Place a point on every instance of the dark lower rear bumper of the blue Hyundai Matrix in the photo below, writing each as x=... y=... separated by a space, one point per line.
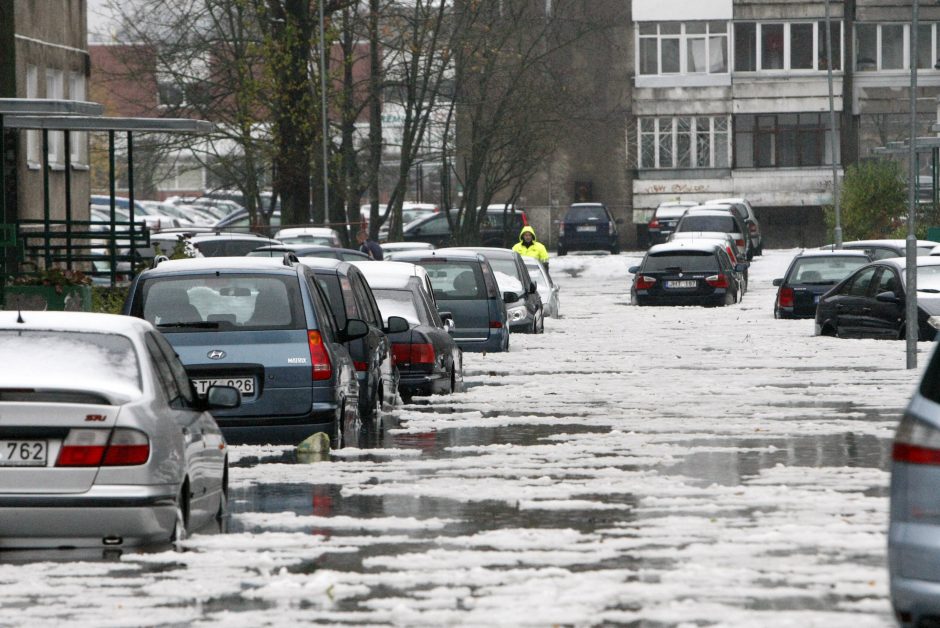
x=279 y=429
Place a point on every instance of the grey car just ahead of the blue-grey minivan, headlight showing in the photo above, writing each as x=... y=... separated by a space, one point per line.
x=525 y=314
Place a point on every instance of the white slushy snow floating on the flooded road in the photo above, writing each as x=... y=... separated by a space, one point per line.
x=654 y=466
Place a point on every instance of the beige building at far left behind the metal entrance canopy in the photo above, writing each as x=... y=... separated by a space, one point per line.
x=44 y=54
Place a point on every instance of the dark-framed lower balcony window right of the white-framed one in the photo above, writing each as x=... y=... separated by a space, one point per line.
x=782 y=140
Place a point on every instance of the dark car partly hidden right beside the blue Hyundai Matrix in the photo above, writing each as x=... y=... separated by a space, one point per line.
x=350 y=296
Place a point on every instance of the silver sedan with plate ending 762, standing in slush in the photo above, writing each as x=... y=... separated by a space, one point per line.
x=103 y=442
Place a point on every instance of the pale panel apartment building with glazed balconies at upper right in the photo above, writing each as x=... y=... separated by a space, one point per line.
x=731 y=98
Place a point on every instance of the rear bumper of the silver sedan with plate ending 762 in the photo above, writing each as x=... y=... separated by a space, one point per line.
x=136 y=514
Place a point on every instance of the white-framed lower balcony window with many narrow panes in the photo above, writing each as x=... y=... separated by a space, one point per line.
x=684 y=142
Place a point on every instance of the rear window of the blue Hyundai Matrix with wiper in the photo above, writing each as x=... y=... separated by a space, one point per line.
x=222 y=302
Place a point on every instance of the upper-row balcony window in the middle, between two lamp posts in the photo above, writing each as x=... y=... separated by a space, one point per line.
x=785 y=46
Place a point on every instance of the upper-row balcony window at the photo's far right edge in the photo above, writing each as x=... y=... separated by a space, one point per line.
x=887 y=46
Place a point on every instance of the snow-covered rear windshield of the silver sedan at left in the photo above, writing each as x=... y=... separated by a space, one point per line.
x=51 y=357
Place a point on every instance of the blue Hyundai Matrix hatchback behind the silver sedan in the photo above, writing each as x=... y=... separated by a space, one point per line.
x=263 y=326
